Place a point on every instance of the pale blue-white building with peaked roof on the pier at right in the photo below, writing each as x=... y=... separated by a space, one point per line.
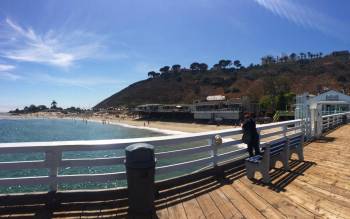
x=329 y=102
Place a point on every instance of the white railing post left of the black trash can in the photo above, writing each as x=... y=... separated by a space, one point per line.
x=53 y=159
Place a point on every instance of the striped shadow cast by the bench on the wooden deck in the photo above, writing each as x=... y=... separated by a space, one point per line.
x=281 y=178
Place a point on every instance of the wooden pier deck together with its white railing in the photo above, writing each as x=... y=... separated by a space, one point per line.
x=195 y=176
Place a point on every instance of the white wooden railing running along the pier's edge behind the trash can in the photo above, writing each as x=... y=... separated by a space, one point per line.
x=176 y=155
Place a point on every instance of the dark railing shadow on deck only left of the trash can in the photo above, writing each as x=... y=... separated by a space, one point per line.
x=64 y=204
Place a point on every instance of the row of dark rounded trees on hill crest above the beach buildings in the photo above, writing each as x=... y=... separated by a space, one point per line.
x=223 y=65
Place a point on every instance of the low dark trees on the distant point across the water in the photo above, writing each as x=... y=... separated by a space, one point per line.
x=42 y=108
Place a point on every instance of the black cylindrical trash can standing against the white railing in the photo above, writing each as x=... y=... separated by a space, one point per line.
x=140 y=170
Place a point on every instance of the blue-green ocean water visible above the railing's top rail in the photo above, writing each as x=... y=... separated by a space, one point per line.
x=32 y=130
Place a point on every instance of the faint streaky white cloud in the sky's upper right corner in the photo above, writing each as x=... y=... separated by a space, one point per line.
x=305 y=16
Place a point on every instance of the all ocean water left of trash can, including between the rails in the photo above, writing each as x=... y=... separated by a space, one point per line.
x=14 y=129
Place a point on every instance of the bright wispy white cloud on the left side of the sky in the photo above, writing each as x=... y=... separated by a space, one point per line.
x=52 y=48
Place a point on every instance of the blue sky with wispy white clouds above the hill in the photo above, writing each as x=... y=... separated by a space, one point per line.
x=79 y=52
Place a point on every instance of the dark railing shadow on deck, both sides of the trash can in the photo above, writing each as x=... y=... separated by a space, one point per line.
x=113 y=203
